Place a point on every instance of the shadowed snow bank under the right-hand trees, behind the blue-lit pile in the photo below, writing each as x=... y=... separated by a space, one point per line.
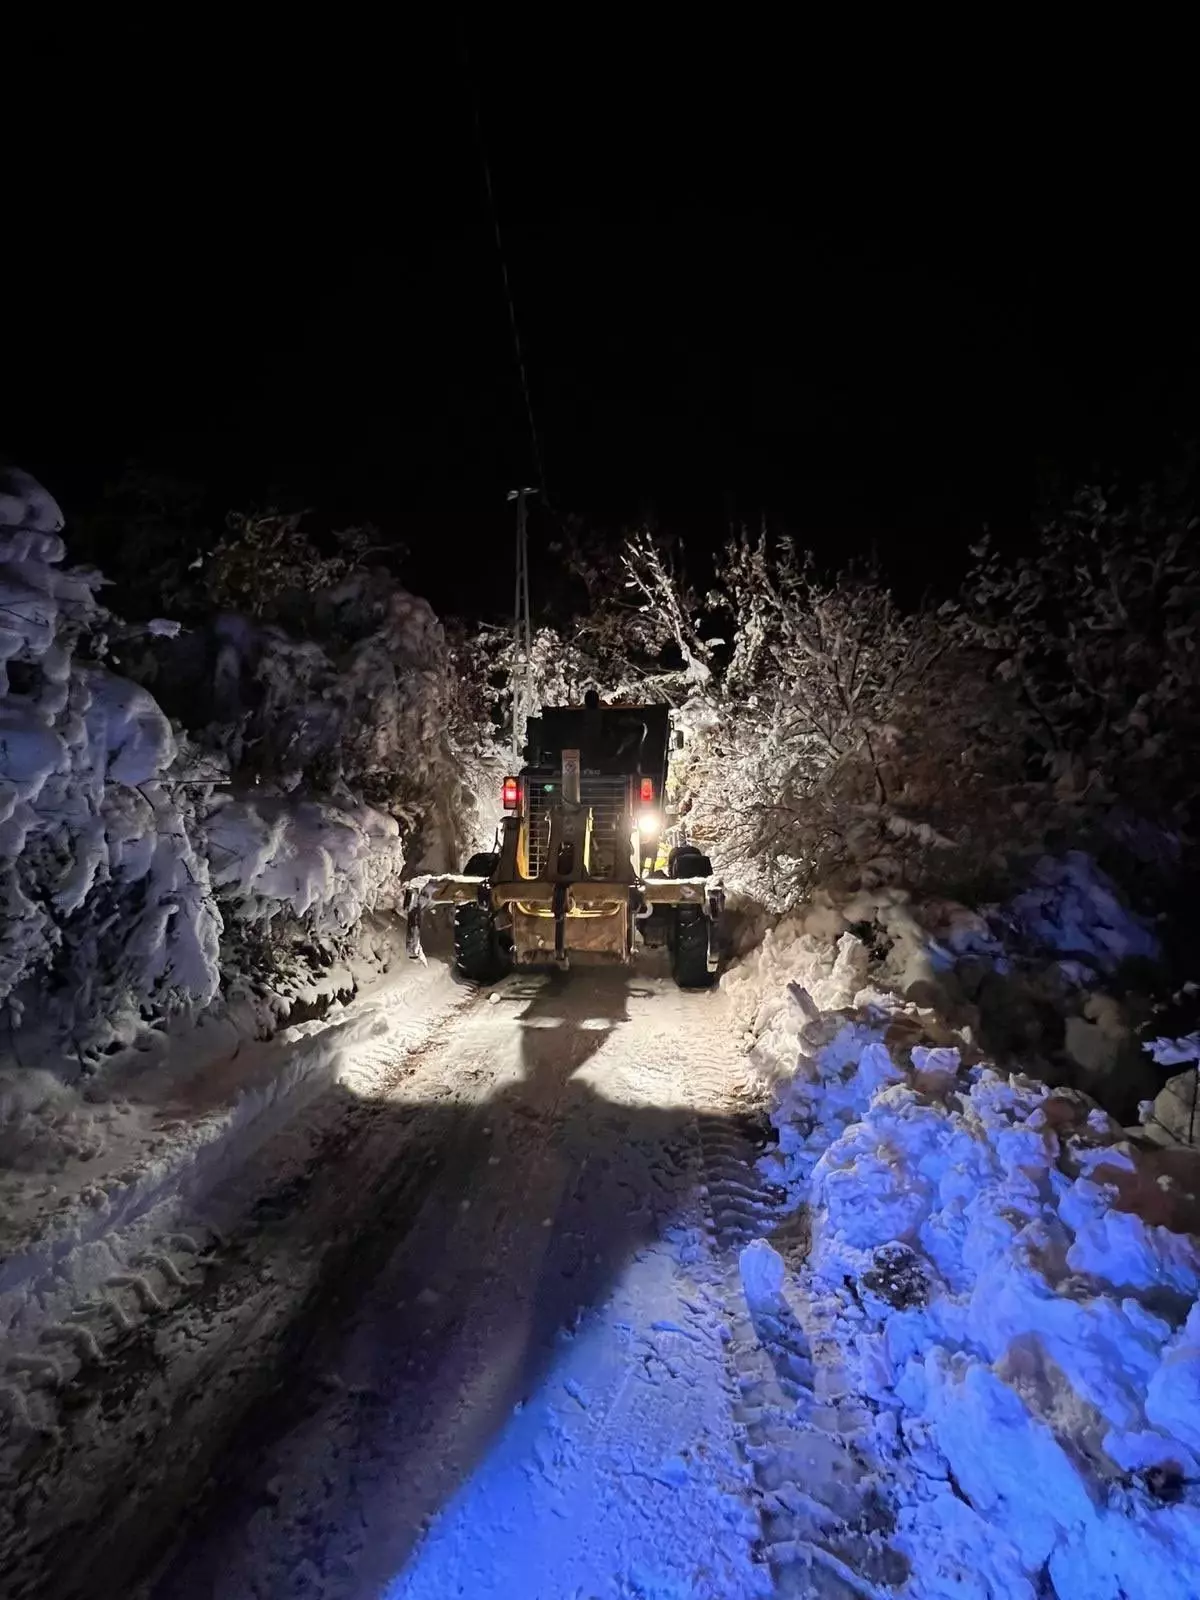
x=1033 y=983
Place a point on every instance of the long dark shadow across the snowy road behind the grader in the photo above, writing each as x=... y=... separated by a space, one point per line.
x=441 y=1295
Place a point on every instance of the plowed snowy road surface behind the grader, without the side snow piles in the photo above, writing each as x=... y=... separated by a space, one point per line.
x=465 y=1327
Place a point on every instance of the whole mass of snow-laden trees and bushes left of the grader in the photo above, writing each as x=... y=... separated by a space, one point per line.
x=142 y=865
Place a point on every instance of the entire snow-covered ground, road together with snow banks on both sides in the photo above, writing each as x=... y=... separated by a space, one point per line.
x=486 y=1295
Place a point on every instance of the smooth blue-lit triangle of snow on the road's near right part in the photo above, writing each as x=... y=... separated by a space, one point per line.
x=620 y=1476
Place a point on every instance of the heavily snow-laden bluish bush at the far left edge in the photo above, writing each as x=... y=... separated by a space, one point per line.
x=103 y=886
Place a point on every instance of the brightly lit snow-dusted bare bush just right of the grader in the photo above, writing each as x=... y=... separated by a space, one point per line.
x=830 y=729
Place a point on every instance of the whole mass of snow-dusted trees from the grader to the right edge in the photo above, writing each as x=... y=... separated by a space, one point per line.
x=1055 y=703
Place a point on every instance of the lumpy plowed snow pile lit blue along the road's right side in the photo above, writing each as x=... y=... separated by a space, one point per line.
x=1015 y=1282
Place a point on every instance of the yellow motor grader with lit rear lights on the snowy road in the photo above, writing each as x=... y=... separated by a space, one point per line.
x=582 y=874
